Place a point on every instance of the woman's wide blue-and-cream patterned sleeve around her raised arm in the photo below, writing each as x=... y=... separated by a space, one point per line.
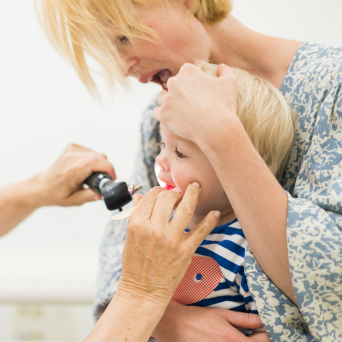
x=315 y=256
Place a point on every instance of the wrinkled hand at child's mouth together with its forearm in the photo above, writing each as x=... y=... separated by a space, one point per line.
x=155 y=258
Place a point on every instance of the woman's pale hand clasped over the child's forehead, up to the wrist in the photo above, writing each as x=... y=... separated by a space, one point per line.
x=197 y=105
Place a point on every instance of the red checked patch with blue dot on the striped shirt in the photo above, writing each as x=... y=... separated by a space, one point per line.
x=192 y=290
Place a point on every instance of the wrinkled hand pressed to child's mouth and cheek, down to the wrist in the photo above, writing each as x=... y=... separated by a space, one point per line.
x=157 y=252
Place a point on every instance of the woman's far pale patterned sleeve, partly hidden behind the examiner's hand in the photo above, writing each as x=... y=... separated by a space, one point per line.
x=115 y=234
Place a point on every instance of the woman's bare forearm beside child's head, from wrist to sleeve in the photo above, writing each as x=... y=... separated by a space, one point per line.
x=258 y=200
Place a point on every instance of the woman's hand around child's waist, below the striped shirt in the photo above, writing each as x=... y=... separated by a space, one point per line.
x=182 y=323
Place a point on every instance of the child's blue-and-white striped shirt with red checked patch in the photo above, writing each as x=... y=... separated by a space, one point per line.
x=216 y=276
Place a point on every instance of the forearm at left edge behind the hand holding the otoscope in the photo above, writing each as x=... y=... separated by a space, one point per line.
x=18 y=201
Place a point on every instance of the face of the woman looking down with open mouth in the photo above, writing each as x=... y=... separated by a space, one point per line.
x=183 y=39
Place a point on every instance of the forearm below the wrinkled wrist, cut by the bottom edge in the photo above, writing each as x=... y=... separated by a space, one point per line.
x=128 y=319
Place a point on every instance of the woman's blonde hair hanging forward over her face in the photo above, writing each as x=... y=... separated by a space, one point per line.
x=78 y=28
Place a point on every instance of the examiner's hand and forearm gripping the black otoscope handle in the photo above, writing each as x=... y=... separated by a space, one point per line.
x=60 y=185
